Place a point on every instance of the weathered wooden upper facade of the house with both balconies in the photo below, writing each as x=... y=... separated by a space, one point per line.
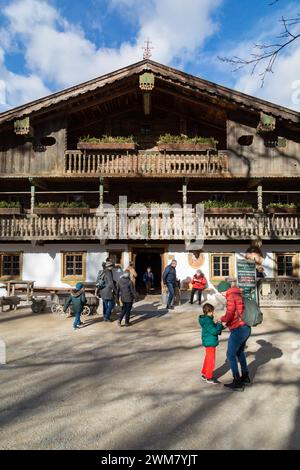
x=45 y=163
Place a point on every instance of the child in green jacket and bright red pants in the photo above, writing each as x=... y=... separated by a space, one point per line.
x=210 y=333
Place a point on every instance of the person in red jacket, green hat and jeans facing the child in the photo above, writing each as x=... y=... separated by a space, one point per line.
x=239 y=335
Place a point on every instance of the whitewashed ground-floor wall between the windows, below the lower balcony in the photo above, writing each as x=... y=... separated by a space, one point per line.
x=43 y=263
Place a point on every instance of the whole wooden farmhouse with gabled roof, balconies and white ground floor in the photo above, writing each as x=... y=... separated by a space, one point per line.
x=170 y=138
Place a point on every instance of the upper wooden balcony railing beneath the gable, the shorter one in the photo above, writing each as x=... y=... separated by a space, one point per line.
x=146 y=164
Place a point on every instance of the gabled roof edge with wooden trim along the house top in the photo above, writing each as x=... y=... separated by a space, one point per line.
x=203 y=87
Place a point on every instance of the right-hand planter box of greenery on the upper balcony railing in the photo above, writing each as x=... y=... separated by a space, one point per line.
x=168 y=142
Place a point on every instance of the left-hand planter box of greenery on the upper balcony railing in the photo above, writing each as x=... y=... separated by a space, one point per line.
x=106 y=143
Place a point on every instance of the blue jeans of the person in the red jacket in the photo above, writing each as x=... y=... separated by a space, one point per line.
x=236 y=346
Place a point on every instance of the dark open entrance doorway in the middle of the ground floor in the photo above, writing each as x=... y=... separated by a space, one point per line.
x=143 y=260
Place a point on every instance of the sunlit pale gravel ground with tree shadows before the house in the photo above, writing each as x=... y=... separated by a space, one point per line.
x=105 y=387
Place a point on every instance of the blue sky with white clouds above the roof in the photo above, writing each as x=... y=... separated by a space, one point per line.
x=49 y=45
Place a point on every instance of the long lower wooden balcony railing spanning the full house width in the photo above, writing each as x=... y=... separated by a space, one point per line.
x=159 y=226
